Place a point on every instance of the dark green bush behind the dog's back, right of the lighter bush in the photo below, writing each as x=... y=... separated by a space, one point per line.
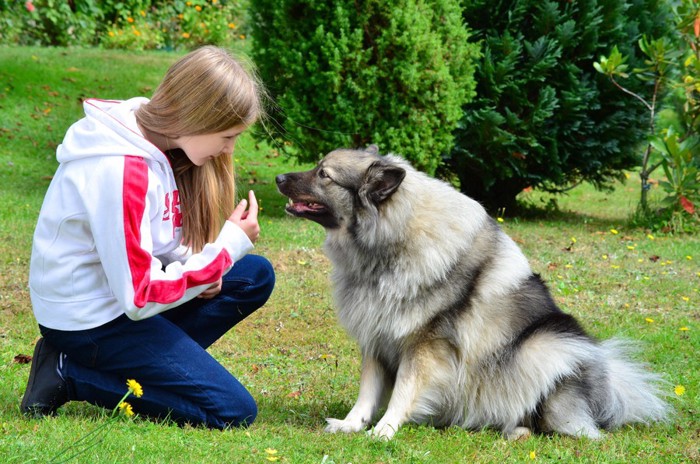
x=543 y=117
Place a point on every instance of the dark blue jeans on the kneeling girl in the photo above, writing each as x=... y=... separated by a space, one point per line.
x=167 y=355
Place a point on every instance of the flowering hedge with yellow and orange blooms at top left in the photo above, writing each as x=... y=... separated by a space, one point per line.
x=134 y=24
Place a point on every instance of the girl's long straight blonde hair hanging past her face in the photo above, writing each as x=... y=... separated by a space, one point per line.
x=205 y=92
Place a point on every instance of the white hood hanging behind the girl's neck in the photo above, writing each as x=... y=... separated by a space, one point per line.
x=108 y=129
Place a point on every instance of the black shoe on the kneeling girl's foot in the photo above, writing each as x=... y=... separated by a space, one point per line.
x=46 y=390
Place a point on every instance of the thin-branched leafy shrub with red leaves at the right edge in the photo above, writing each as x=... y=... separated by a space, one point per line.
x=671 y=68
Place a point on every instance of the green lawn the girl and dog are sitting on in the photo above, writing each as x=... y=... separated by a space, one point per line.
x=291 y=354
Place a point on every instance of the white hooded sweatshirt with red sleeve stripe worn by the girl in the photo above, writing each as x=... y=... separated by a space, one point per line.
x=108 y=239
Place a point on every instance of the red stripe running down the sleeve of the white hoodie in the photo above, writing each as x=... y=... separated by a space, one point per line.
x=145 y=289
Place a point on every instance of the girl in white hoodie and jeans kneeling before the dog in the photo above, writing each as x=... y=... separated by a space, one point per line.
x=139 y=260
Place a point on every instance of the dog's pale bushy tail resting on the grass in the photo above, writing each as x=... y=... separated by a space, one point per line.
x=635 y=394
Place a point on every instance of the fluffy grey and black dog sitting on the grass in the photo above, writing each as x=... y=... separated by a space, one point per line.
x=453 y=326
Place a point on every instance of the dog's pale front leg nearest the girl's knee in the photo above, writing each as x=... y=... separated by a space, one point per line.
x=372 y=386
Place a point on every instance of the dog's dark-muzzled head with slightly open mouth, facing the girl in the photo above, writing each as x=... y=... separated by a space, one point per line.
x=340 y=186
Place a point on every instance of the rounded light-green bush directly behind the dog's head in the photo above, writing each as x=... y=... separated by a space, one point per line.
x=346 y=74
